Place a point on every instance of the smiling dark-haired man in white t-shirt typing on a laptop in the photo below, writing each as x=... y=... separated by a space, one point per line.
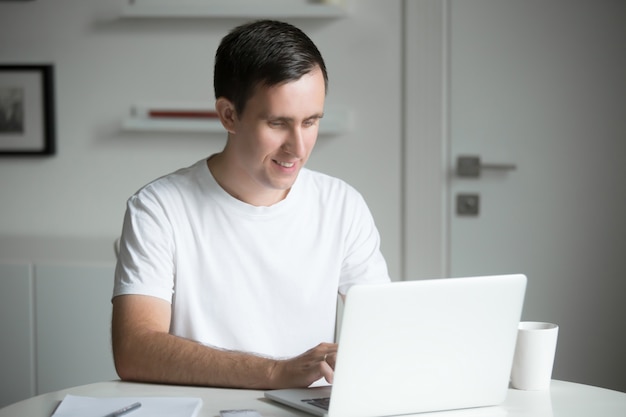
x=229 y=270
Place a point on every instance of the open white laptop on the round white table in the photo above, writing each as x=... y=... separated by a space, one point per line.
x=421 y=346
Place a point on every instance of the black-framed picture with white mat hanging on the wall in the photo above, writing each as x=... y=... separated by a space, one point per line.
x=27 y=110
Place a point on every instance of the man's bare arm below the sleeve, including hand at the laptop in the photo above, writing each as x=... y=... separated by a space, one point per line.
x=144 y=350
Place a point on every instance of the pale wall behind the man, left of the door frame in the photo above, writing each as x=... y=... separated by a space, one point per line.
x=104 y=64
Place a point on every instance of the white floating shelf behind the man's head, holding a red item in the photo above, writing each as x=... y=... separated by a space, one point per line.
x=334 y=122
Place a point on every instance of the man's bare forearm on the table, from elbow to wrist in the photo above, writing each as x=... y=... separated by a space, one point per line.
x=160 y=357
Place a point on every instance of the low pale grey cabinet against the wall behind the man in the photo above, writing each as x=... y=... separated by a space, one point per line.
x=57 y=332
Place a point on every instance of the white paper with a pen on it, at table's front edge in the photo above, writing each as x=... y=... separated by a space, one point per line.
x=76 y=406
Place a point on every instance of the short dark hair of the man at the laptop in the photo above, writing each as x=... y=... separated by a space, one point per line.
x=263 y=52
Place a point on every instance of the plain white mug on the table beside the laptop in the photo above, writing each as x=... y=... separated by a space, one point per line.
x=534 y=355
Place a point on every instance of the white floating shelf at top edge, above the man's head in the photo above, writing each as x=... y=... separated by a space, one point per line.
x=226 y=9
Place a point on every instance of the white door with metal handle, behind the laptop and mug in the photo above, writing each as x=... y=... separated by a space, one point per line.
x=541 y=84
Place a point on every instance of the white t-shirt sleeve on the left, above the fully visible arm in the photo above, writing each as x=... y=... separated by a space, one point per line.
x=145 y=261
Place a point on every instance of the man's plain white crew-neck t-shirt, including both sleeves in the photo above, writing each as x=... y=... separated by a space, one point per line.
x=247 y=278
